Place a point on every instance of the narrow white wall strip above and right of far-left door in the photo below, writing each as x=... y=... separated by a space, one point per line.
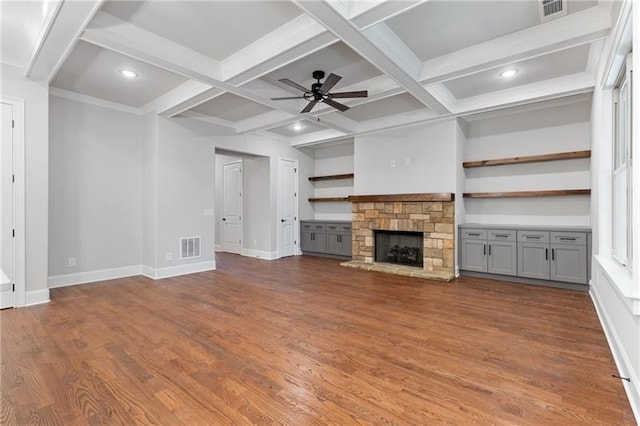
x=36 y=101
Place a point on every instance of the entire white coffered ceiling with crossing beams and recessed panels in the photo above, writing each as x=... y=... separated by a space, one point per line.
x=221 y=61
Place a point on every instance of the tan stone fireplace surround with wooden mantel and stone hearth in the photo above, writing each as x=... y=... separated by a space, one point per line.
x=429 y=213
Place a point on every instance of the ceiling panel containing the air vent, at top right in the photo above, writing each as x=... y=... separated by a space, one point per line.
x=439 y=27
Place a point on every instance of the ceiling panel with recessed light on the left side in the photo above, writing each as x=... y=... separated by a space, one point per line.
x=94 y=71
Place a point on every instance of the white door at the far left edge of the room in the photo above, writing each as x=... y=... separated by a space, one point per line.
x=6 y=210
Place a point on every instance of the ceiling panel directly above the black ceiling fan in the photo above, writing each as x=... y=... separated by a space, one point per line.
x=338 y=59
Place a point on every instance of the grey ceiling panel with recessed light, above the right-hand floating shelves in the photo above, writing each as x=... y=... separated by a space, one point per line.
x=545 y=67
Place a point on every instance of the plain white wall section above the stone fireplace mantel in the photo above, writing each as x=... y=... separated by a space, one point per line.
x=430 y=150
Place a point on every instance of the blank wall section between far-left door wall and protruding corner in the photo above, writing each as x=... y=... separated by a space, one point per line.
x=95 y=187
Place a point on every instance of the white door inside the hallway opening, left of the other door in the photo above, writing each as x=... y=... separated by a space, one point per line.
x=232 y=207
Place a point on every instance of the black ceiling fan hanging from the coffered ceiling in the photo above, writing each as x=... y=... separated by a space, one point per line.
x=319 y=92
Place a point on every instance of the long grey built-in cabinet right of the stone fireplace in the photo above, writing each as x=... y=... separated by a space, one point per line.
x=537 y=253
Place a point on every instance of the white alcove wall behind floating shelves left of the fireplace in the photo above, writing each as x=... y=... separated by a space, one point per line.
x=333 y=160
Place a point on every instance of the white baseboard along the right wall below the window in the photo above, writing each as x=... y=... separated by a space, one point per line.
x=624 y=364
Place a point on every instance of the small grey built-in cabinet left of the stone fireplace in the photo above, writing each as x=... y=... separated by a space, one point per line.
x=326 y=238
